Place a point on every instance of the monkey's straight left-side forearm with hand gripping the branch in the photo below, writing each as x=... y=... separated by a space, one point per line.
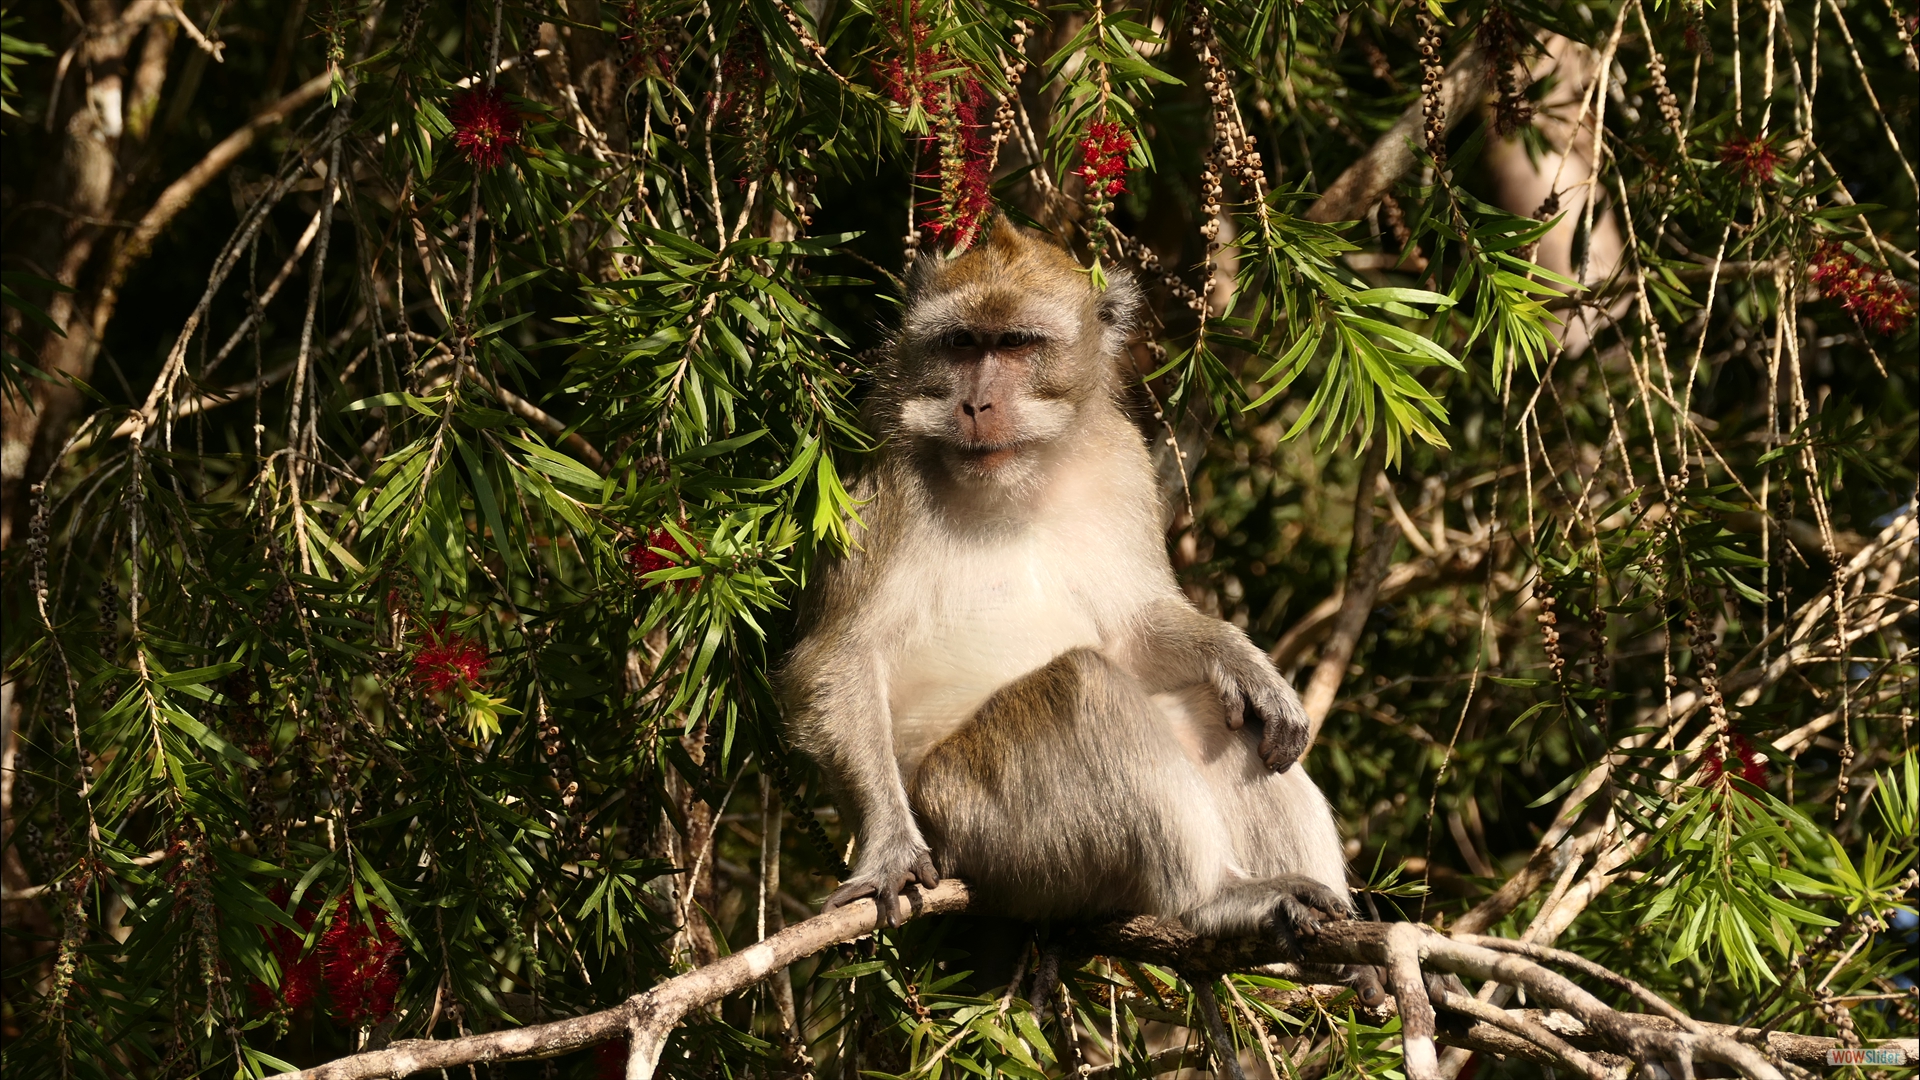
x=838 y=714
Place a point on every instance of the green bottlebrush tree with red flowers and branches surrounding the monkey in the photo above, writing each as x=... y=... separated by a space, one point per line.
x=421 y=420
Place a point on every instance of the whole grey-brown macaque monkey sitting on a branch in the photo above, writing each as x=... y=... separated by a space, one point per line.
x=1003 y=677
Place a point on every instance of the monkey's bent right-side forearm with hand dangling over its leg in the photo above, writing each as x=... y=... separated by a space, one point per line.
x=1176 y=647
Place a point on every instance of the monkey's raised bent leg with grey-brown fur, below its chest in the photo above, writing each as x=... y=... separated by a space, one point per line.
x=1068 y=795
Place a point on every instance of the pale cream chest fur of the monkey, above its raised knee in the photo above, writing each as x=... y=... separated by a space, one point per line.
x=994 y=614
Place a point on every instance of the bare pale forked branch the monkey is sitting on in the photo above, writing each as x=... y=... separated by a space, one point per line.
x=1579 y=1025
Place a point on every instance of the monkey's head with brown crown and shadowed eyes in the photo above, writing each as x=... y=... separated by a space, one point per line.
x=1001 y=355
